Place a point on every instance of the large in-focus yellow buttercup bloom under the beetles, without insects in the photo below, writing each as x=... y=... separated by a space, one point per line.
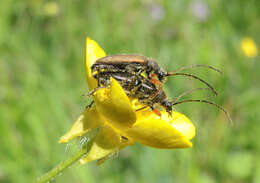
x=115 y=114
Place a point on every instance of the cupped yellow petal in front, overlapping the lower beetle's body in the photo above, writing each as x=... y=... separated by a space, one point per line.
x=115 y=106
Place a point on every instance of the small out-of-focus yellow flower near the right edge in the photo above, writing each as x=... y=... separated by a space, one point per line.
x=249 y=47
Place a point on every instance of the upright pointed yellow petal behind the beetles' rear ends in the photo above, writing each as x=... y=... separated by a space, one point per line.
x=92 y=52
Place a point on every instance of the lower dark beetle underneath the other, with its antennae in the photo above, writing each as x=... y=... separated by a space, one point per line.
x=147 y=93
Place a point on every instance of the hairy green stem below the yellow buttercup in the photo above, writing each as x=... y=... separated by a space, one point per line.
x=62 y=166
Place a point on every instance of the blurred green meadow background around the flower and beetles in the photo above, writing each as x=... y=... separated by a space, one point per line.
x=42 y=79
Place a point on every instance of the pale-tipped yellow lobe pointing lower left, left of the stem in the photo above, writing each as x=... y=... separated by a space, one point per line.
x=88 y=120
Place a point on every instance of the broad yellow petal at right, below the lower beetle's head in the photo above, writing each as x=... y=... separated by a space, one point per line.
x=162 y=132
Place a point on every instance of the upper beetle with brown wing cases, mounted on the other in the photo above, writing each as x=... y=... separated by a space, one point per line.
x=139 y=64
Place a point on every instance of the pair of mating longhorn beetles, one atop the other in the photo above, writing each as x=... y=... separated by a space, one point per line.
x=142 y=78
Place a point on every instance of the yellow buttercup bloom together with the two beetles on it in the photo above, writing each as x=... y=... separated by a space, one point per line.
x=124 y=89
